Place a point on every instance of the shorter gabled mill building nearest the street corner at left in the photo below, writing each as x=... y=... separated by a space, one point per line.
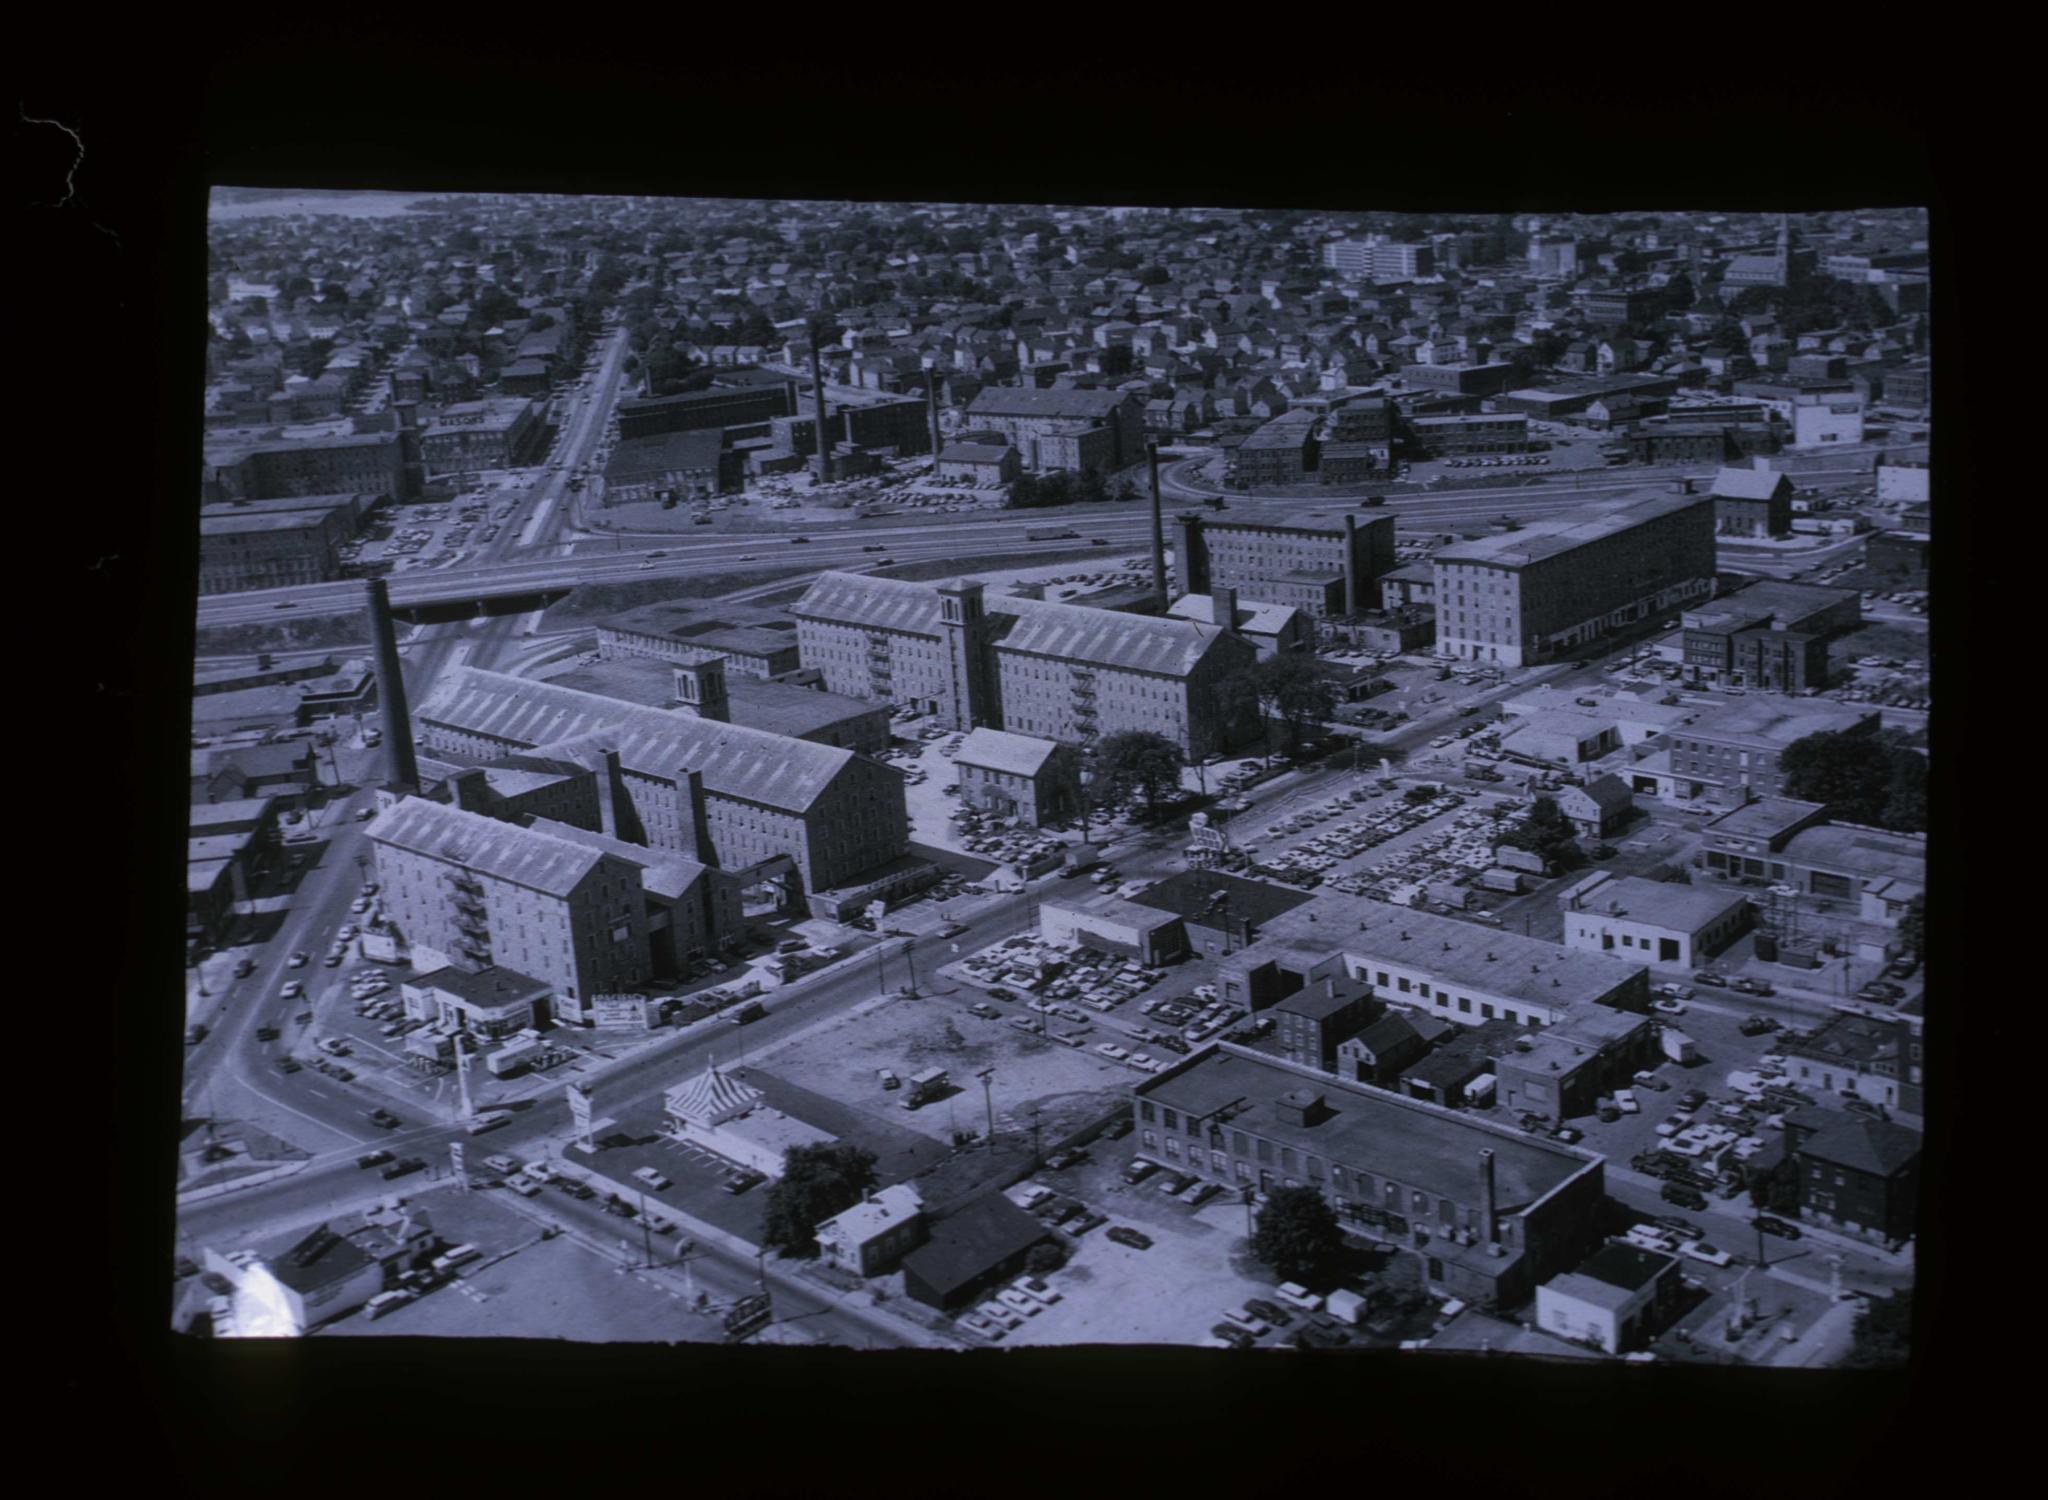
x=470 y=892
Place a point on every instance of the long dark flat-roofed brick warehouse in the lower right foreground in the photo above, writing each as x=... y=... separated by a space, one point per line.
x=1488 y=1212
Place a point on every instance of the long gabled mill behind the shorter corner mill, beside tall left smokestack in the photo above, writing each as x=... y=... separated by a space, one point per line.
x=757 y=804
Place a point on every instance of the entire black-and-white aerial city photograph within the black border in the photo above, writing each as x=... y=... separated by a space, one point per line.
x=986 y=776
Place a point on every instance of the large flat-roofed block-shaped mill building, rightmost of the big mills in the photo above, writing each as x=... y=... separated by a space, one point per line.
x=1558 y=585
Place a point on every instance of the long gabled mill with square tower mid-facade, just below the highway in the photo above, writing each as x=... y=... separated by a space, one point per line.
x=1029 y=667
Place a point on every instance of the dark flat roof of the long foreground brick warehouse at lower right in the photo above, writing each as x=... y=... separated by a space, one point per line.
x=1379 y=1132
